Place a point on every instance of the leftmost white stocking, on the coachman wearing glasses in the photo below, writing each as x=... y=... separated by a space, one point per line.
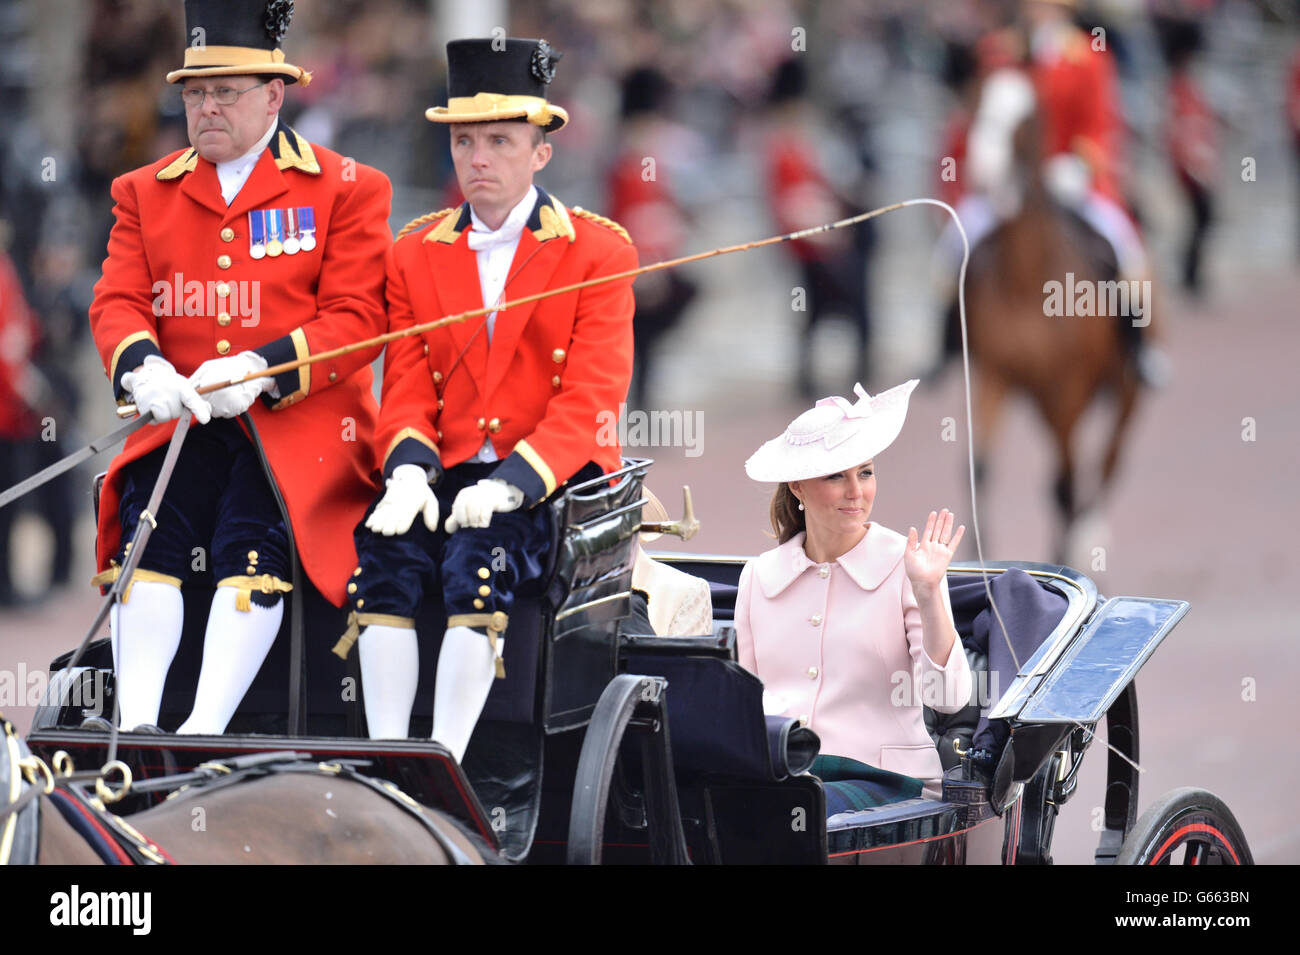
x=146 y=632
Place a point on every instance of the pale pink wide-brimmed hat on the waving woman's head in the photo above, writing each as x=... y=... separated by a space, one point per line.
x=834 y=436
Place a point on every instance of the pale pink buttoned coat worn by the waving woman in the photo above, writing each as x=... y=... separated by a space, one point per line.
x=840 y=646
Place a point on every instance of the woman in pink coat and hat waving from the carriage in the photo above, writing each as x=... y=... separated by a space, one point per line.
x=847 y=623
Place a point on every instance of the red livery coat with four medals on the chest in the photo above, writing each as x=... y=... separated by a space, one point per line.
x=180 y=281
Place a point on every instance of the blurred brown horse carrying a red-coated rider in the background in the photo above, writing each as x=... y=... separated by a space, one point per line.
x=1061 y=363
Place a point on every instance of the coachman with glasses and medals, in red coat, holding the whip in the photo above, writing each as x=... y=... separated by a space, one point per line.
x=252 y=249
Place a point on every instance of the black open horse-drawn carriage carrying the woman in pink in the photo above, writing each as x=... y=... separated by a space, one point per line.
x=644 y=749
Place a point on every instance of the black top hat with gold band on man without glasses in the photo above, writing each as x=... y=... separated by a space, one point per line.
x=500 y=80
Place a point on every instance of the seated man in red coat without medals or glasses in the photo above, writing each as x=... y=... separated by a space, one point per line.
x=484 y=420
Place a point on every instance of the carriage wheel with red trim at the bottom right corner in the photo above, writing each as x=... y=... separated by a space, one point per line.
x=1188 y=827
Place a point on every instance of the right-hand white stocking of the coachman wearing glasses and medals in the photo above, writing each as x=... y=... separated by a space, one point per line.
x=235 y=648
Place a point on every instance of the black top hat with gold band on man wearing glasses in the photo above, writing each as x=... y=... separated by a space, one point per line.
x=237 y=38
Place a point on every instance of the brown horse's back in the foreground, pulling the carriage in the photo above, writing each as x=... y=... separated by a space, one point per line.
x=291 y=818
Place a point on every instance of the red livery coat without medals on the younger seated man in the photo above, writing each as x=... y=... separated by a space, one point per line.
x=547 y=393
